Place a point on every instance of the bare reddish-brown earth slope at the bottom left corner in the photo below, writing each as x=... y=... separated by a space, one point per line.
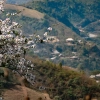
x=18 y=93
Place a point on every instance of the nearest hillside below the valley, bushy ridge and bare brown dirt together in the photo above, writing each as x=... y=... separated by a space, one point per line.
x=58 y=82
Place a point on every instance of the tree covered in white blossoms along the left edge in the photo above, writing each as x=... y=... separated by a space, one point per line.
x=13 y=44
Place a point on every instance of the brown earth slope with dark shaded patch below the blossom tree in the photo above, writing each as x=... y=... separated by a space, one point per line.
x=14 y=85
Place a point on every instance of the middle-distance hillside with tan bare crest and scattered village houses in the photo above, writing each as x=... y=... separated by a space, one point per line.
x=74 y=54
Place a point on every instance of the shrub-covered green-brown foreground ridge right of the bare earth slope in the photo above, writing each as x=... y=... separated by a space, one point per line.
x=68 y=83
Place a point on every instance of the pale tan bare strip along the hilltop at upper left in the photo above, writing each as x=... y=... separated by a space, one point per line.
x=25 y=11
